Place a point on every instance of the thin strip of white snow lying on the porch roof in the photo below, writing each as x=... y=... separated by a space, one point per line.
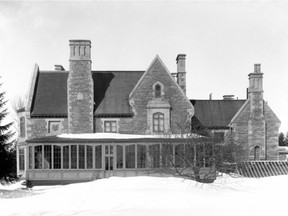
x=123 y=136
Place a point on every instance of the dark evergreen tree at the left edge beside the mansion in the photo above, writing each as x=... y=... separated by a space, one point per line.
x=7 y=148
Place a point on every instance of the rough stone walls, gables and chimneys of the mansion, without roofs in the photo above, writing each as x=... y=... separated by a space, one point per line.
x=255 y=126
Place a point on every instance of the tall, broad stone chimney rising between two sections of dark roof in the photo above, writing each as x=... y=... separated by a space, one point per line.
x=80 y=96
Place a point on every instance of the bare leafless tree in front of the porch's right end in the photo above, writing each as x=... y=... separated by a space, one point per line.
x=194 y=157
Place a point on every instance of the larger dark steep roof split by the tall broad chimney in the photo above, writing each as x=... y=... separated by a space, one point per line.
x=112 y=89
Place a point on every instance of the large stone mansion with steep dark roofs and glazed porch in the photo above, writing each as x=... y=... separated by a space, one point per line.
x=82 y=124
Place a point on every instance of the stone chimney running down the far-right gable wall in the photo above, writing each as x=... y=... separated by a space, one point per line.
x=256 y=123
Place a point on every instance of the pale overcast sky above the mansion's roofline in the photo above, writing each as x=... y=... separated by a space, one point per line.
x=222 y=40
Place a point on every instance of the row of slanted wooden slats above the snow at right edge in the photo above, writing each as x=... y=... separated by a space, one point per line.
x=258 y=169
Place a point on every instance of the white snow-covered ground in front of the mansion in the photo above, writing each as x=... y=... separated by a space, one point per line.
x=149 y=196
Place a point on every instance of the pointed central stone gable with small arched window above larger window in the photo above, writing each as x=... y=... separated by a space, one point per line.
x=173 y=103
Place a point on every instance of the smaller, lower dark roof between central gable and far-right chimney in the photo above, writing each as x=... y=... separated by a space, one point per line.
x=214 y=113
